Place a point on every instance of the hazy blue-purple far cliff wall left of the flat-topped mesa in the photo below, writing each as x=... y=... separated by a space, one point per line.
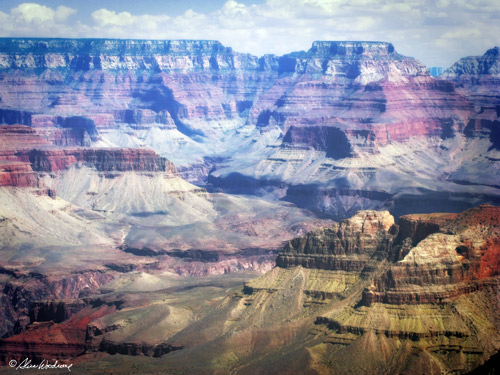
x=125 y=81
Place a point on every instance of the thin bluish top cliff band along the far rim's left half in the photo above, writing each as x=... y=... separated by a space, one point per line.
x=115 y=54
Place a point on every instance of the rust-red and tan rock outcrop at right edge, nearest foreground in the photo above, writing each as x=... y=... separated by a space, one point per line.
x=460 y=257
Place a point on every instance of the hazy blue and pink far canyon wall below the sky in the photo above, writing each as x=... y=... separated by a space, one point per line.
x=325 y=128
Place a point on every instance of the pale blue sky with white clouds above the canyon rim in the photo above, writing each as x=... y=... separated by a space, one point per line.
x=437 y=32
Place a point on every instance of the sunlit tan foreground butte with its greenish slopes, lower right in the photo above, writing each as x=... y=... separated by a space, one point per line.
x=427 y=287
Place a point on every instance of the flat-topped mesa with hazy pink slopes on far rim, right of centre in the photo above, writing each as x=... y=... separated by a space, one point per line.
x=359 y=88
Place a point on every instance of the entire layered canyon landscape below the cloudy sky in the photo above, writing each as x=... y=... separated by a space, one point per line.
x=175 y=206
